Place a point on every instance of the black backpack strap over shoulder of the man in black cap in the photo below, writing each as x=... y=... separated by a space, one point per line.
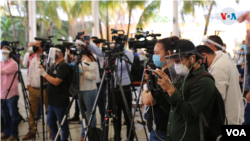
x=202 y=118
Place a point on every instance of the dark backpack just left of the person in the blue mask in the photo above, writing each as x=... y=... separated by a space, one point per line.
x=136 y=70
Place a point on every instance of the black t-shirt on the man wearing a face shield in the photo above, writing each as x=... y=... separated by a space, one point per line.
x=58 y=96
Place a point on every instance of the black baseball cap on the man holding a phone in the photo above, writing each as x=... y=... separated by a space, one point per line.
x=185 y=47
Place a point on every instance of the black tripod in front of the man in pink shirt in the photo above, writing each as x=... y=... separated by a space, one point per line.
x=25 y=96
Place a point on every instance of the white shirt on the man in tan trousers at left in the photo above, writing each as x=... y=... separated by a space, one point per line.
x=33 y=78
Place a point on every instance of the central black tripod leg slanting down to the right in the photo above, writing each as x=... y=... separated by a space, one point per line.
x=125 y=101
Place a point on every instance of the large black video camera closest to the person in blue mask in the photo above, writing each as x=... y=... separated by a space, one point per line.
x=141 y=41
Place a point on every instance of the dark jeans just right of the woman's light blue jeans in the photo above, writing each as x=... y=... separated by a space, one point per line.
x=102 y=102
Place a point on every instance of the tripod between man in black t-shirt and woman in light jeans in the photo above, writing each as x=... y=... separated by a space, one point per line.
x=81 y=102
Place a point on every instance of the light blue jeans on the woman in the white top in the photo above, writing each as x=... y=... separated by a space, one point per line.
x=89 y=100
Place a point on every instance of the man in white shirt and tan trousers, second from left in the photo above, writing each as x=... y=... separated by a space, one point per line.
x=33 y=86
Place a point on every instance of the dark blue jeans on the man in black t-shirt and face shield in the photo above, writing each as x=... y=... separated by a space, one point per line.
x=56 y=114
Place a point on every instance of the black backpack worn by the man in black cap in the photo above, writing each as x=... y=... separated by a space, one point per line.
x=214 y=129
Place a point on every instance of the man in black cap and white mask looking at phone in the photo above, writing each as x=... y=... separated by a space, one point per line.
x=186 y=106
